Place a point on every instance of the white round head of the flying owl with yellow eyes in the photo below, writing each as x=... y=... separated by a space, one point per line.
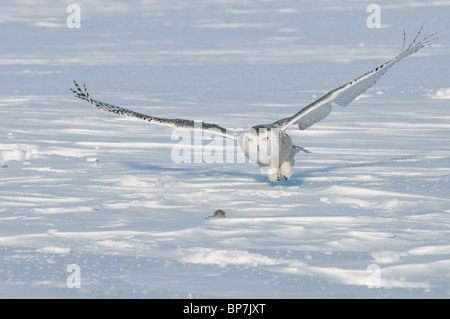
x=261 y=144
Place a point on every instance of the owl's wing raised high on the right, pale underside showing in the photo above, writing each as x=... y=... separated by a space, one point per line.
x=346 y=93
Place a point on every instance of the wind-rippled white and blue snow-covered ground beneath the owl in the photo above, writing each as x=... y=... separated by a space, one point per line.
x=370 y=206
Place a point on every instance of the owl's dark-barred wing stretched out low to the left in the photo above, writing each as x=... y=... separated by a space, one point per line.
x=174 y=123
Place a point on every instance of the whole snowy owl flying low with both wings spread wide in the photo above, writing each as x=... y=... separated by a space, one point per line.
x=268 y=145
